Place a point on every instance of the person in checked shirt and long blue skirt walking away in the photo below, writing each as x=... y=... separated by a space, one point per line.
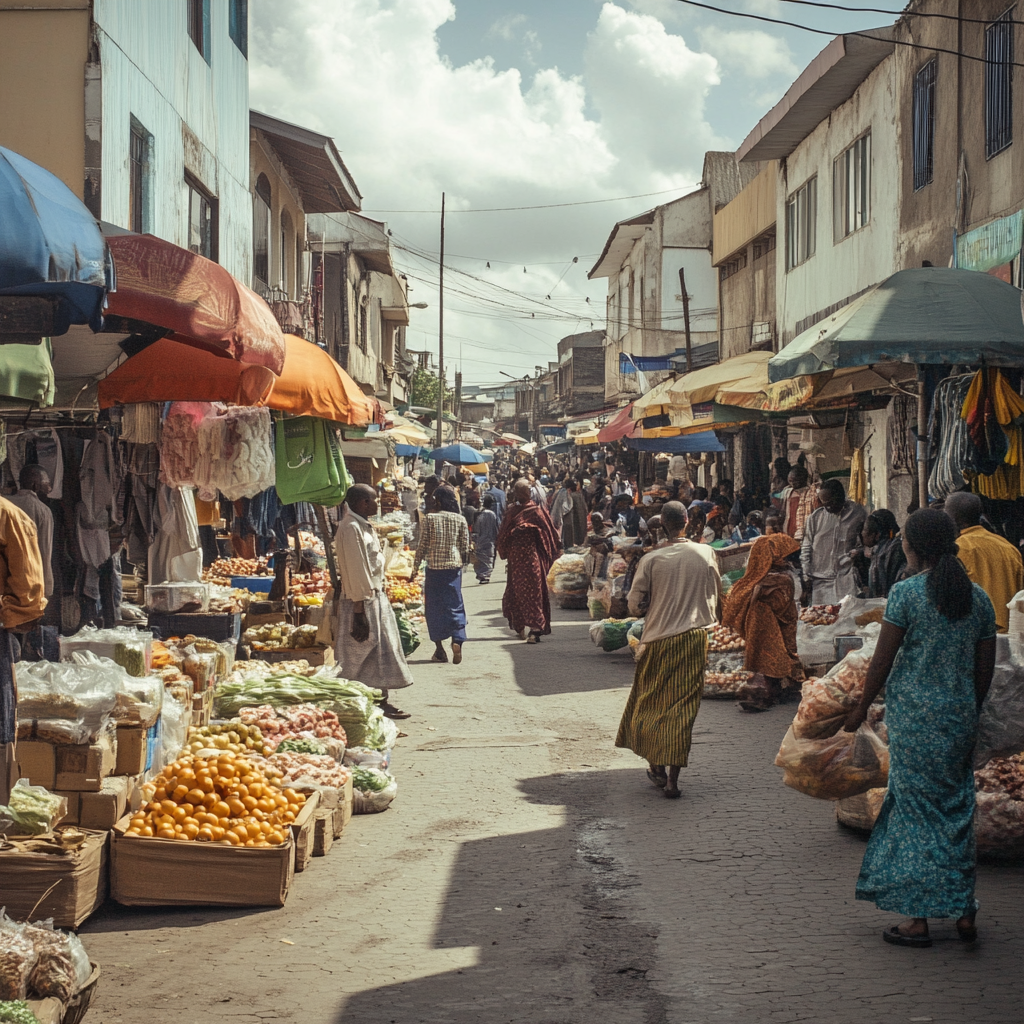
x=445 y=547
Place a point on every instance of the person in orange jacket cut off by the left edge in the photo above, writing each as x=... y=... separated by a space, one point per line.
x=22 y=606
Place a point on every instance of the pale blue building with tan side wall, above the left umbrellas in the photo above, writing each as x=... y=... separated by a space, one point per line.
x=142 y=109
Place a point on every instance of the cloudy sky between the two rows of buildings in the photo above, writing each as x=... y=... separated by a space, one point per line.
x=596 y=109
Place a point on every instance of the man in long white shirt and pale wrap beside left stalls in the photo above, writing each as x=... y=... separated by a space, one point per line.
x=368 y=647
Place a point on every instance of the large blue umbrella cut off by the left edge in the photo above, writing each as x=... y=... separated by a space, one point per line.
x=51 y=245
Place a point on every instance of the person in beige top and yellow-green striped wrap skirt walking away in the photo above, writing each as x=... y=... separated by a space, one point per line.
x=677 y=589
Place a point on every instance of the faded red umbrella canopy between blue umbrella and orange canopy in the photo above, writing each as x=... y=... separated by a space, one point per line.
x=205 y=307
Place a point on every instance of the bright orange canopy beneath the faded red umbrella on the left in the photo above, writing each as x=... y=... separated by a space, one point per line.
x=312 y=382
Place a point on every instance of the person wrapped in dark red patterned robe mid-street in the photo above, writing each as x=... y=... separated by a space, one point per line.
x=529 y=543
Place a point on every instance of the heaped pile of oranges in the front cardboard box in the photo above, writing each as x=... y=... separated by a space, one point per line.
x=223 y=799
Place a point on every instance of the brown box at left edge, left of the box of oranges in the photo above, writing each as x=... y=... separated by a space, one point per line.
x=79 y=877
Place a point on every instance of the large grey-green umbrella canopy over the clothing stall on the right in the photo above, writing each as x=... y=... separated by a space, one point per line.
x=925 y=316
